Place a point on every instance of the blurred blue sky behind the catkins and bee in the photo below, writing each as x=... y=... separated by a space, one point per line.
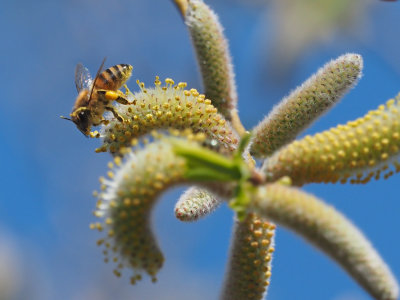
x=49 y=169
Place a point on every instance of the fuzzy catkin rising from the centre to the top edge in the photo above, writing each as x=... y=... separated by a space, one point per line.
x=213 y=56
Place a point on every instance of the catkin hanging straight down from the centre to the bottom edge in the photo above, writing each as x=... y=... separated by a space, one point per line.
x=249 y=270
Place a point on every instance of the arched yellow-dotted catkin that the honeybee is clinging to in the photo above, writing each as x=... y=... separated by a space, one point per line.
x=165 y=107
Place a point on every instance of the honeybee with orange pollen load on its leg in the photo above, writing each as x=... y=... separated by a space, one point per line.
x=96 y=95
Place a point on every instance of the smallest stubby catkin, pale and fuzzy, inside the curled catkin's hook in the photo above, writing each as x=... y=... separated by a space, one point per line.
x=195 y=203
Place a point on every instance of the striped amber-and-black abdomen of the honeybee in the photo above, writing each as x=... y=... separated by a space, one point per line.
x=114 y=77
